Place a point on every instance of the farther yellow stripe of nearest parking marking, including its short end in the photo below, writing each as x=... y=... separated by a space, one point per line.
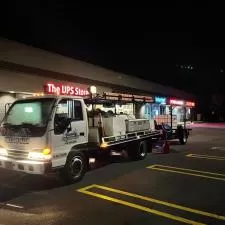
x=172 y=205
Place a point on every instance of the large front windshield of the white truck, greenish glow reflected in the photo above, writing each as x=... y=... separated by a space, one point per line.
x=32 y=114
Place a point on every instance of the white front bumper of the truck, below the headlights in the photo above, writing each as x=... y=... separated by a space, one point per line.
x=26 y=166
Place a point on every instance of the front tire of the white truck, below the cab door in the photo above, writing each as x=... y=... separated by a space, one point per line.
x=75 y=168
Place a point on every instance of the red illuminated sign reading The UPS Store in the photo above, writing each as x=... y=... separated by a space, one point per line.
x=63 y=89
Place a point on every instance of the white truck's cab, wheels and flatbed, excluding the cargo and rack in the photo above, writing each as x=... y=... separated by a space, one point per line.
x=41 y=134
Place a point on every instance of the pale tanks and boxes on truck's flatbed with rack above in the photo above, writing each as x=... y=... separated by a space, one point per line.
x=118 y=127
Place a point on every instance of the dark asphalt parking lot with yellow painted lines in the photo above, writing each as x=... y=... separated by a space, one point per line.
x=186 y=186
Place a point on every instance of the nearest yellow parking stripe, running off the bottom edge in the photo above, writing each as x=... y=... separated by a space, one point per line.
x=142 y=208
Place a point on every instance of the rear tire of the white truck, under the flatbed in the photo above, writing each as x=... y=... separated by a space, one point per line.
x=138 y=151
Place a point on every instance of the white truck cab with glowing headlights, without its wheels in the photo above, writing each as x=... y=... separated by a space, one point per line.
x=36 y=133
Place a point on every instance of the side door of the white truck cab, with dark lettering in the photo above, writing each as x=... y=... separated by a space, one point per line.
x=75 y=133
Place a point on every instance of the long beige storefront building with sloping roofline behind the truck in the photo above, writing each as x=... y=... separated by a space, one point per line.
x=25 y=70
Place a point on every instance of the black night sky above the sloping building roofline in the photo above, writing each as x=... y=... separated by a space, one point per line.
x=157 y=44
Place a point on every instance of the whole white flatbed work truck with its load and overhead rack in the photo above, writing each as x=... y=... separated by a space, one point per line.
x=48 y=133
